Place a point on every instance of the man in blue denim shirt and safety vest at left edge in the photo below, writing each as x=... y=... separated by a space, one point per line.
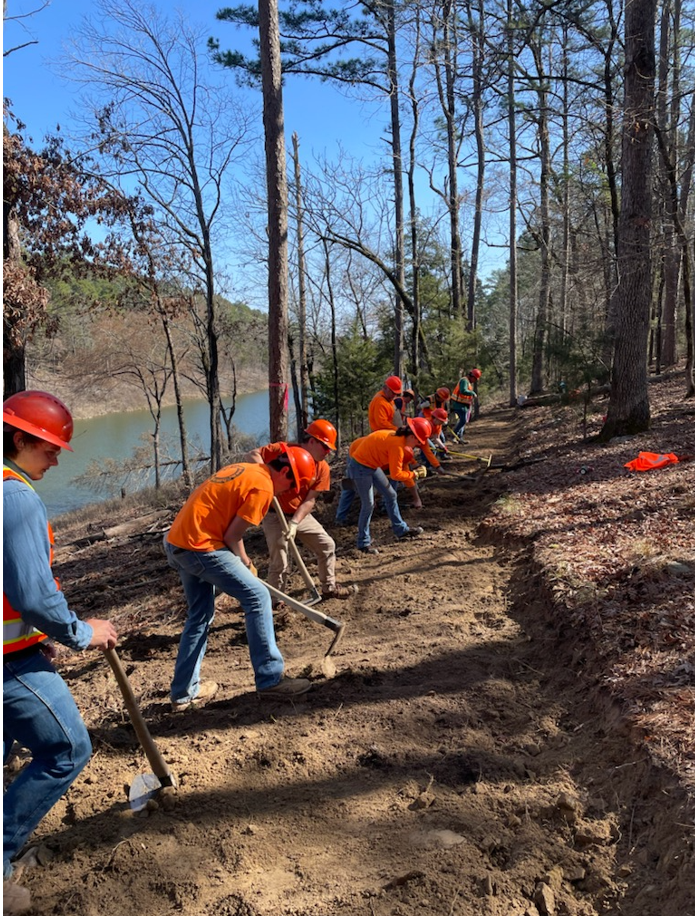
x=38 y=709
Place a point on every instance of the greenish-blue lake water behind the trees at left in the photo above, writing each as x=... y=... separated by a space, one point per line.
x=116 y=435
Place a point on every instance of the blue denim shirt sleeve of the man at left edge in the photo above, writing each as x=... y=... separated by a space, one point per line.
x=27 y=578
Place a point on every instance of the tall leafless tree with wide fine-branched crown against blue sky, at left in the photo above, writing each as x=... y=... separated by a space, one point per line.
x=163 y=124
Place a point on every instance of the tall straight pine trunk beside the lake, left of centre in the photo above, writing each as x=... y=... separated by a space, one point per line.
x=276 y=181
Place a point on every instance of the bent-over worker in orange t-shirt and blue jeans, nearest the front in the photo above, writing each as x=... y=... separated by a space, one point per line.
x=205 y=545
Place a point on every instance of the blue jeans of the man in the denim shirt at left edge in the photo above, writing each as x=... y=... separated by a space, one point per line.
x=40 y=713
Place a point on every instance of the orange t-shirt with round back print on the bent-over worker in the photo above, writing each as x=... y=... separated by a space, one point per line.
x=244 y=490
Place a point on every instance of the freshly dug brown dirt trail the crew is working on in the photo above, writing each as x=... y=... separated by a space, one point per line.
x=457 y=763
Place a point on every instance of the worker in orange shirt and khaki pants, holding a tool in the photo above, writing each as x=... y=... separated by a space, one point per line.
x=320 y=439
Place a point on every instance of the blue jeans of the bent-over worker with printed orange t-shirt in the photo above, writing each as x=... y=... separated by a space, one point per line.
x=201 y=573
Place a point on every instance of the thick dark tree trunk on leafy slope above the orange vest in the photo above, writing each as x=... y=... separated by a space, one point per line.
x=628 y=408
